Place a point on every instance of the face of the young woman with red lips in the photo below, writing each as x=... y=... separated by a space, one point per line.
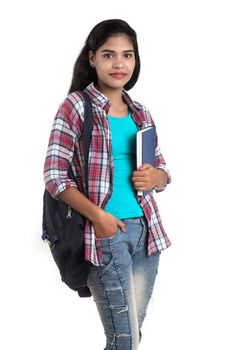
x=114 y=62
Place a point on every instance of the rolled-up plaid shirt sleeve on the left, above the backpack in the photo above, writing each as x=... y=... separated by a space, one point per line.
x=60 y=151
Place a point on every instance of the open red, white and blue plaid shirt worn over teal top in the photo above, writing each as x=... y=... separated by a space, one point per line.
x=66 y=147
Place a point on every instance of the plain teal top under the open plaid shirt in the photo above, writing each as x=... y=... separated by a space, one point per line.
x=123 y=203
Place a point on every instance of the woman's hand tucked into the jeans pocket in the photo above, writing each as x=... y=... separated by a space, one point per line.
x=106 y=225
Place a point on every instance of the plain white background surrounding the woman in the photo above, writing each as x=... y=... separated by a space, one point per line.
x=187 y=81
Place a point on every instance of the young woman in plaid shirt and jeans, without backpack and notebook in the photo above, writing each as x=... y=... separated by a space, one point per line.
x=123 y=234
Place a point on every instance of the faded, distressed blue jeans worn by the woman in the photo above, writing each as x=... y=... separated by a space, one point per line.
x=123 y=285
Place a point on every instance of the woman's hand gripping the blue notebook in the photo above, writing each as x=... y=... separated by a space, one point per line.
x=148 y=177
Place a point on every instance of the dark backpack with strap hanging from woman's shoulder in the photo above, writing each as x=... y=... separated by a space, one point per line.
x=63 y=227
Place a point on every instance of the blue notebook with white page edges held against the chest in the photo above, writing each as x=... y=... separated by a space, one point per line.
x=145 y=148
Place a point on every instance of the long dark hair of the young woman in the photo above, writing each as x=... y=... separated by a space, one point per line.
x=83 y=74
